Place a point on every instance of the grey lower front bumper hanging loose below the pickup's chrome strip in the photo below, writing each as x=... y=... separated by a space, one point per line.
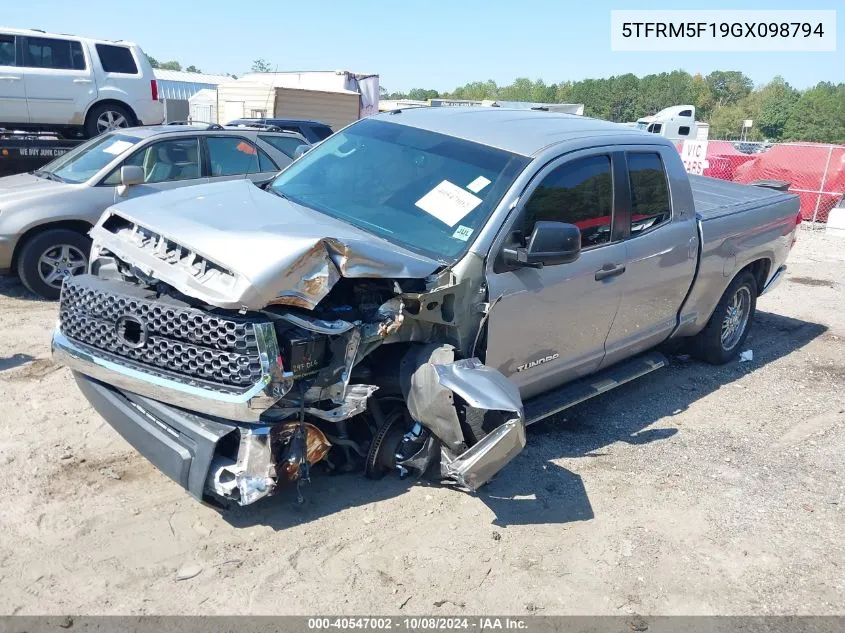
x=182 y=445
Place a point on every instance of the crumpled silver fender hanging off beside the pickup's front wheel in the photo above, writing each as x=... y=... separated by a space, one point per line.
x=430 y=379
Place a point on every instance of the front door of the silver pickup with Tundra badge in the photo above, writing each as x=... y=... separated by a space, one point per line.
x=551 y=323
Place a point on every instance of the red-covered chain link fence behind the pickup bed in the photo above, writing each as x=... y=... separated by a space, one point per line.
x=813 y=171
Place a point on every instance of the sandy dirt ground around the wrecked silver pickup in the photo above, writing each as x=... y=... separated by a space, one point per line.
x=696 y=490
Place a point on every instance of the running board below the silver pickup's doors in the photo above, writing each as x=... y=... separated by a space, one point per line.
x=547 y=404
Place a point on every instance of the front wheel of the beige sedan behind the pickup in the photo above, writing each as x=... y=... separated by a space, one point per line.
x=47 y=258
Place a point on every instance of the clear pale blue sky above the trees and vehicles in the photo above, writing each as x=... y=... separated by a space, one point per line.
x=440 y=44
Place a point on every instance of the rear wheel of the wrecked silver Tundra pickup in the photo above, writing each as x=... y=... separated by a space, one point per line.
x=724 y=335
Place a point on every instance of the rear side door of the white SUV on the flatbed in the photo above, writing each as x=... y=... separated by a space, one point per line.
x=59 y=84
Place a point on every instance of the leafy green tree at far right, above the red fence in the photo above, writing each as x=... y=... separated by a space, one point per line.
x=818 y=115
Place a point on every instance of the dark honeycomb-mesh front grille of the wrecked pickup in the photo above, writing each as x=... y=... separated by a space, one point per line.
x=186 y=343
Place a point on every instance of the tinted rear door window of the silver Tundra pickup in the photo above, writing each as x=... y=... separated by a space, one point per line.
x=650 y=205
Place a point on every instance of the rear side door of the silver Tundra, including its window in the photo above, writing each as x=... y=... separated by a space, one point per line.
x=661 y=251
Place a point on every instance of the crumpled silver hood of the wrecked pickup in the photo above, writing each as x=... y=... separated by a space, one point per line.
x=260 y=249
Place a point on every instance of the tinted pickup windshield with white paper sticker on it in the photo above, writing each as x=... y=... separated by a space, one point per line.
x=425 y=191
